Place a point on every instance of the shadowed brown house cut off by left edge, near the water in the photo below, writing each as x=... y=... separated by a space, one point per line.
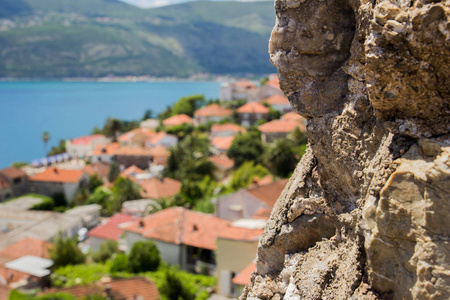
x=16 y=179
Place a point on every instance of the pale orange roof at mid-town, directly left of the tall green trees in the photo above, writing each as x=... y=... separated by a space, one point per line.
x=155 y=188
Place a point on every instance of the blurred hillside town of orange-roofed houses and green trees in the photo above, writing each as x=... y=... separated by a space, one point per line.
x=165 y=207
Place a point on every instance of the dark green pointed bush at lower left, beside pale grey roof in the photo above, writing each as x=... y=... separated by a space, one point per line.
x=66 y=252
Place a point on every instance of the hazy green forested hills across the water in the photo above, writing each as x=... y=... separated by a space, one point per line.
x=94 y=38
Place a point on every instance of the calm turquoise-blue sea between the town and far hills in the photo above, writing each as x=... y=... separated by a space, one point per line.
x=71 y=109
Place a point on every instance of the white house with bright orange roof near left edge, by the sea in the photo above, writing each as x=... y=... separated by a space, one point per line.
x=54 y=180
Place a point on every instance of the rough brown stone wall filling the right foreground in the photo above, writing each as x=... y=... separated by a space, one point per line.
x=366 y=214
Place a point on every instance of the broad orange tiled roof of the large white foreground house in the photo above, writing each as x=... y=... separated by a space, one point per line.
x=178 y=225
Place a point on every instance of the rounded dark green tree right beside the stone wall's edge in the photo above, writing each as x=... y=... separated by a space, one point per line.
x=280 y=157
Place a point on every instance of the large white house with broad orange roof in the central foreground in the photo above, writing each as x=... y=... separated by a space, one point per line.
x=184 y=237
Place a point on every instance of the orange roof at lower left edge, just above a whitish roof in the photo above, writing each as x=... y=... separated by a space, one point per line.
x=28 y=246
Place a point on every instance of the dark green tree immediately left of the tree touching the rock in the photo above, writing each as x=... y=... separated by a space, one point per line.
x=246 y=147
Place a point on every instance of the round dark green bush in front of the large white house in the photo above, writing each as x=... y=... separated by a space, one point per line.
x=144 y=256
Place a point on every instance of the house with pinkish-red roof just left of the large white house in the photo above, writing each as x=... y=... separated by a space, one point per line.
x=110 y=230
